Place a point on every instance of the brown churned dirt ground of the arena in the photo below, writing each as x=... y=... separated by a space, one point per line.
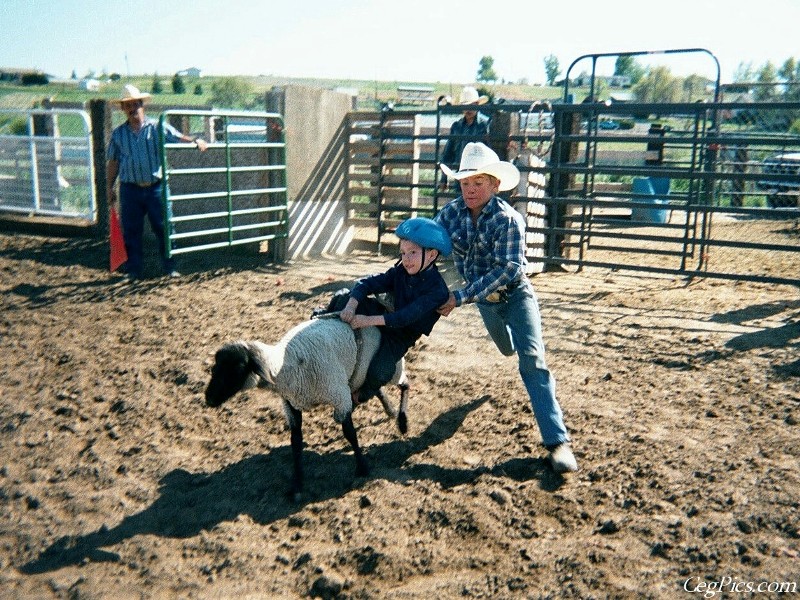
x=116 y=481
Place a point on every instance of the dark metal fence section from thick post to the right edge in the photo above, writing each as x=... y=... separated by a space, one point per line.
x=689 y=192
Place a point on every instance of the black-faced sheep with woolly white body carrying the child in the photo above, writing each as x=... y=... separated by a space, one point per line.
x=320 y=361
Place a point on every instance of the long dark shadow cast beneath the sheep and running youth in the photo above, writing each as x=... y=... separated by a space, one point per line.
x=191 y=502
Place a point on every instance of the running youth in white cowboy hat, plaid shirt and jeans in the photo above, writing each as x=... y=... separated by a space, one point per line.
x=489 y=252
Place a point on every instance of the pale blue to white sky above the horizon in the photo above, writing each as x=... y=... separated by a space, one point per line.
x=404 y=40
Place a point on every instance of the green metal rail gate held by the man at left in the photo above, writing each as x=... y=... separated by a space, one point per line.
x=234 y=193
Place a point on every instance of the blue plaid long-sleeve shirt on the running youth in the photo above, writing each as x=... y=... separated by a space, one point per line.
x=488 y=254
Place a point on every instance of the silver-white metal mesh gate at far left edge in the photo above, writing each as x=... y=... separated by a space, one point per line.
x=46 y=164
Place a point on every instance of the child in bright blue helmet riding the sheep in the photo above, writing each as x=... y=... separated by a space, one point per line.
x=417 y=290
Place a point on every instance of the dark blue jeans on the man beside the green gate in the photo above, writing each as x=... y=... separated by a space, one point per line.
x=136 y=204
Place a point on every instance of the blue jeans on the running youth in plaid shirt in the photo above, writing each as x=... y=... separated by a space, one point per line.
x=515 y=325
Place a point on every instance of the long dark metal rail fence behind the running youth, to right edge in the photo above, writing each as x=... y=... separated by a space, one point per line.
x=707 y=189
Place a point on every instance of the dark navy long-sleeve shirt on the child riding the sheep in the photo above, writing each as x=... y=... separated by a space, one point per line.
x=416 y=298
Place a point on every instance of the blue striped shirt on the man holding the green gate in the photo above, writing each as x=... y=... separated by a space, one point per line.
x=139 y=154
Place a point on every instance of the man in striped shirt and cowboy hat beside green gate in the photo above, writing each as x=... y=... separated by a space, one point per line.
x=134 y=155
